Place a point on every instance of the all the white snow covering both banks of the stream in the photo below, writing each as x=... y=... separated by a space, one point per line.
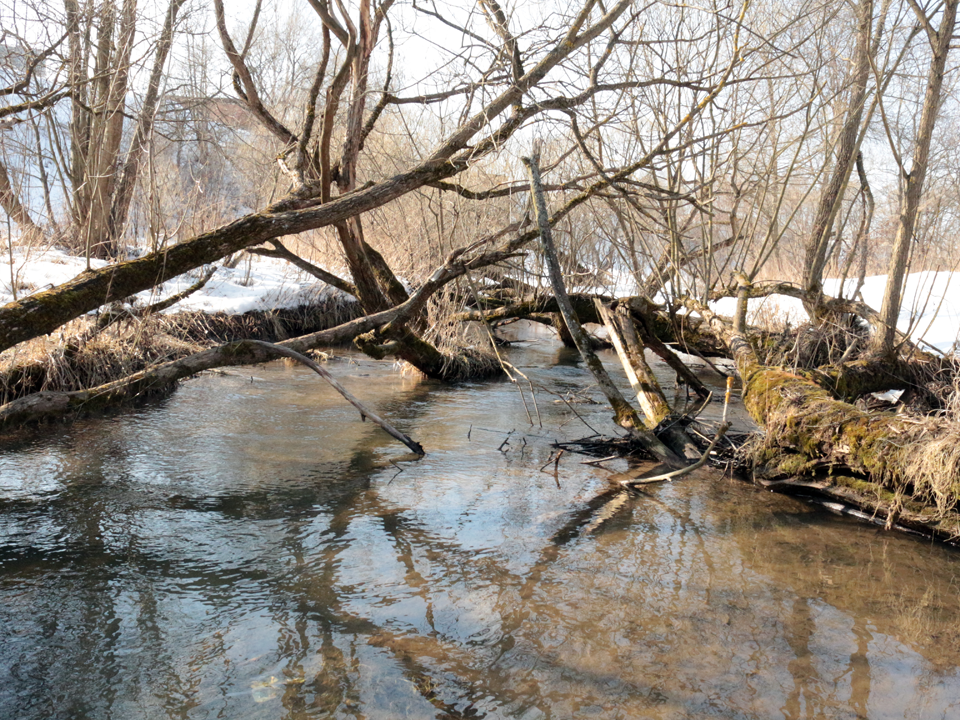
x=931 y=302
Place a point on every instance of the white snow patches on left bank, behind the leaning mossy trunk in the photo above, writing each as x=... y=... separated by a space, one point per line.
x=257 y=283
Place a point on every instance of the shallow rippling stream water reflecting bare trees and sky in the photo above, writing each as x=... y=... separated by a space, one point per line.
x=250 y=549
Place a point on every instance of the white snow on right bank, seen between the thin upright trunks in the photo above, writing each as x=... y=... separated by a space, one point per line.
x=931 y=305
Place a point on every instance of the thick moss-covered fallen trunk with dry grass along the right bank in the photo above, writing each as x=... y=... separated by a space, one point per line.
x=901 y=460
